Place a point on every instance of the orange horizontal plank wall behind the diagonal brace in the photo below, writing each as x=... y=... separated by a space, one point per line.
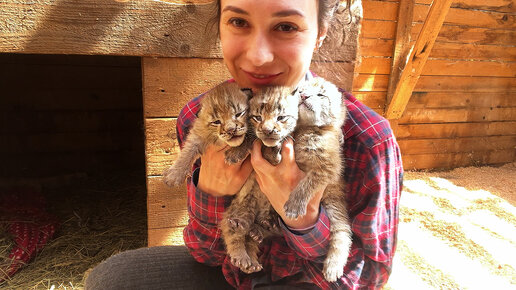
x=463 y=109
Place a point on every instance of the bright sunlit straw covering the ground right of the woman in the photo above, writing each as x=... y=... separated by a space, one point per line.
x=457 y=230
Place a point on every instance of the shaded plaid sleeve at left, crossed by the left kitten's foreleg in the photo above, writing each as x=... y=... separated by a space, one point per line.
x=201 y=235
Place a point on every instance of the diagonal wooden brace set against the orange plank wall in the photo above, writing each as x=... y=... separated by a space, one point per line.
x=417 y=58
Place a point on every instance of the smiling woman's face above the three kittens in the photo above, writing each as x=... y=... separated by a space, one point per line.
x=268 y=42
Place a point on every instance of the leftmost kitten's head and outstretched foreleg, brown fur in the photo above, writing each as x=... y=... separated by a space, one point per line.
x=222 y=120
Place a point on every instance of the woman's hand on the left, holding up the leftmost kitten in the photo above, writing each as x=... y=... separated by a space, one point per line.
x=218 y=178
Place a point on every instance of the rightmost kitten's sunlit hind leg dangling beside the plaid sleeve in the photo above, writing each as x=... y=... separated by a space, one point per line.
x=340 y=236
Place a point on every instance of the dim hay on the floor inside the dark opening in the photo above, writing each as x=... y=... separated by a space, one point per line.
x=100 y=216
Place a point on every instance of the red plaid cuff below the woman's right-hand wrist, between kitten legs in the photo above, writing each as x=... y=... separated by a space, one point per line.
x=312 y=245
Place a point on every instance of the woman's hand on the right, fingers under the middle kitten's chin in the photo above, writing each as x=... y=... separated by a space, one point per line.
x=277 y=182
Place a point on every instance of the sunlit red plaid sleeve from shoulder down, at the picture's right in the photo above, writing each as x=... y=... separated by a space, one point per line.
x=374 y=175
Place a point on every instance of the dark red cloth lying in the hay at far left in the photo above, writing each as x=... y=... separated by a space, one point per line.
x=23 y=210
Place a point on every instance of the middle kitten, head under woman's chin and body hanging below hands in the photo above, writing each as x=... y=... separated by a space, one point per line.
x=250 y=218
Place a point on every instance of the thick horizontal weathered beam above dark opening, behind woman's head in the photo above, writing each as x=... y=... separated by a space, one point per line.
x=168 y=28
